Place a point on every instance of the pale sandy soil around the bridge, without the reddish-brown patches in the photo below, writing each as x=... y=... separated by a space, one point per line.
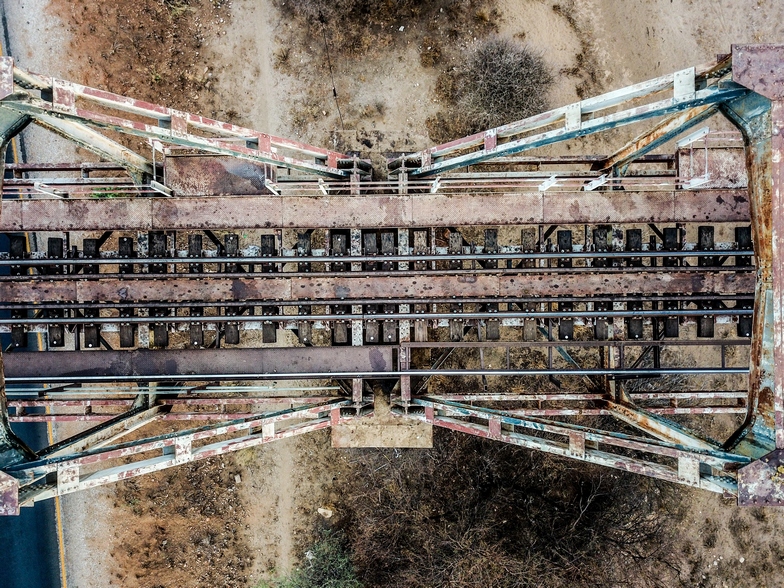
x=385 y=98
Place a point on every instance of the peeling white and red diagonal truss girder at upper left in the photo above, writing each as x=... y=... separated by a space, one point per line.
x=58 y=100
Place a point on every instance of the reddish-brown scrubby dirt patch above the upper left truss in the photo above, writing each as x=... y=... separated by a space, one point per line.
x=153 y=50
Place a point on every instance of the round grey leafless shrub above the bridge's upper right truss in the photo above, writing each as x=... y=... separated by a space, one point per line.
x=500 y=82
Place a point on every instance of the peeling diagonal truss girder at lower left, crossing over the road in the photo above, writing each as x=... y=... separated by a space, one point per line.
x=89 y=468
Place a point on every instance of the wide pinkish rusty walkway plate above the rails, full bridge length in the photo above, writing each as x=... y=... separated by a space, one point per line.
x=371 y=210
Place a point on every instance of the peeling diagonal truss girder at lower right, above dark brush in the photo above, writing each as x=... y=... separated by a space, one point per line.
x=668 y=461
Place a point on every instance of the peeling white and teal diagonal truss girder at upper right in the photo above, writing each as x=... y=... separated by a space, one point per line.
x=693 y=89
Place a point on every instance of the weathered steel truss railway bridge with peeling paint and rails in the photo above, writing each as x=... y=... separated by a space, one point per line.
x=621 y=309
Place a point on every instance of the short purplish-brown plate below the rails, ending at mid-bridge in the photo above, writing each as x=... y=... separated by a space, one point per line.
x=219 y=363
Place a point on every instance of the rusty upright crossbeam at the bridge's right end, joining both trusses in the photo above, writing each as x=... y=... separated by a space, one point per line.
x=758 y=68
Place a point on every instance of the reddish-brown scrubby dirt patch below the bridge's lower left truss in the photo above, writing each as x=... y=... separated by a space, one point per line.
x=185 y=528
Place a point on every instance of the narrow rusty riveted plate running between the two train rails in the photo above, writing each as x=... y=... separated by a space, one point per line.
x=335 y=290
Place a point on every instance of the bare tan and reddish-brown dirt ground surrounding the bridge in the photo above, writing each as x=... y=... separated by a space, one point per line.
x=226 y=59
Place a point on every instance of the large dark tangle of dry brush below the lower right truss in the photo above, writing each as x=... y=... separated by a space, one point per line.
x=473 y=512
